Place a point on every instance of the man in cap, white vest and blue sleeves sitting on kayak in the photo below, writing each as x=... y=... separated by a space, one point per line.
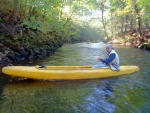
x=111 y=61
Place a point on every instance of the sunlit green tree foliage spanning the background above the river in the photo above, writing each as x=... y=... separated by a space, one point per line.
x=62 y=16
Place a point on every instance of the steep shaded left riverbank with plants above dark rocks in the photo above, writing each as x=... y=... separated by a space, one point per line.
x=19 y=43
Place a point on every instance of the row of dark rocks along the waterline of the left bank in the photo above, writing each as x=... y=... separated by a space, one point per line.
x=16 y=53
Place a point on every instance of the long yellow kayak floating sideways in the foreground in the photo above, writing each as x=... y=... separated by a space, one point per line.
x=65 y=72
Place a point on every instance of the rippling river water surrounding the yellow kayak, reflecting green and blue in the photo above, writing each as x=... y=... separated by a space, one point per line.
x=123 y=94
